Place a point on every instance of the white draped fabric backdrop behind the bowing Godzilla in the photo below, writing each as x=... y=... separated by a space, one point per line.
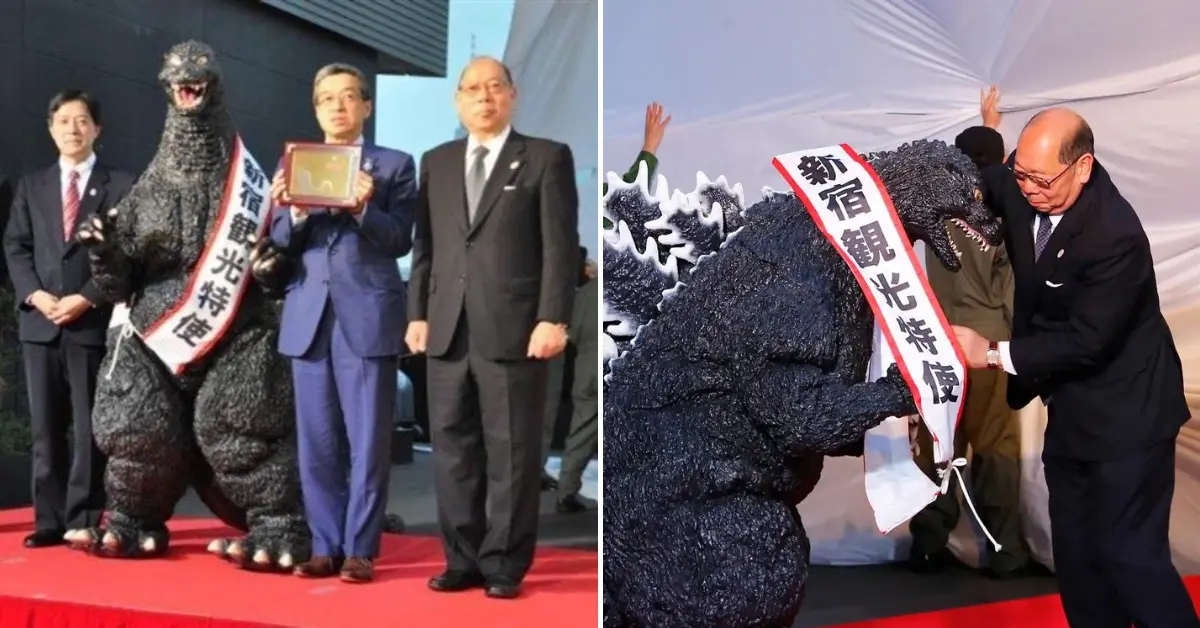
x=748 y=81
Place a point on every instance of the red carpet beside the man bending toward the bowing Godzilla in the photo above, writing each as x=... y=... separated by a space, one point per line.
x=1043 y=612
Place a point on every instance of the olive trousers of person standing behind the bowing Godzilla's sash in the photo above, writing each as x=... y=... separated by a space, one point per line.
x=993 y=432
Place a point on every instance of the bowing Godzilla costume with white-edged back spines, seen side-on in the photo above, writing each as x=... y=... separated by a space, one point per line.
x=737 y=345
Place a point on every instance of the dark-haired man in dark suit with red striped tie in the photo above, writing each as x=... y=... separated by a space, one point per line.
x=63 y=316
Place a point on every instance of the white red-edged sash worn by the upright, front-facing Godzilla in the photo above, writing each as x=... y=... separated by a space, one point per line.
x=203 y=314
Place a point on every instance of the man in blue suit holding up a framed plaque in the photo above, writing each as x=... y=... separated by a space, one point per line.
x=344 y=328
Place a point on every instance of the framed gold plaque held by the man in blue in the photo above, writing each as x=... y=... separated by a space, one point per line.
x=322 y=175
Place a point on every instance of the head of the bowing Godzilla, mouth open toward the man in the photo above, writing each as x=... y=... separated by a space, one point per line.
x=935 y=188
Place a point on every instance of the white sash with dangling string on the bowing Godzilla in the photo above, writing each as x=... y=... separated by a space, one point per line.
x=850 y=206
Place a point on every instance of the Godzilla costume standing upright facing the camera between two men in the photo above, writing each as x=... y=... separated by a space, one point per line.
x=224 y=424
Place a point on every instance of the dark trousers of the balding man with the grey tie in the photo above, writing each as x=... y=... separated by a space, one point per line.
x=485 y=427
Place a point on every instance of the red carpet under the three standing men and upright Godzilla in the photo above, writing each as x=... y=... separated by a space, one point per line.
x=191 y=589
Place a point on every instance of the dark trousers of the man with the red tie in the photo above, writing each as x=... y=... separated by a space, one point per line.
x=69 y=483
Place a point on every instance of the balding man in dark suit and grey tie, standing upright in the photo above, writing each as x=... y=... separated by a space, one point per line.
x=495 y=266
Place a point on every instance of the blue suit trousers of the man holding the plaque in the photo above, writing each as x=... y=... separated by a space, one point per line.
x=344 y=428
